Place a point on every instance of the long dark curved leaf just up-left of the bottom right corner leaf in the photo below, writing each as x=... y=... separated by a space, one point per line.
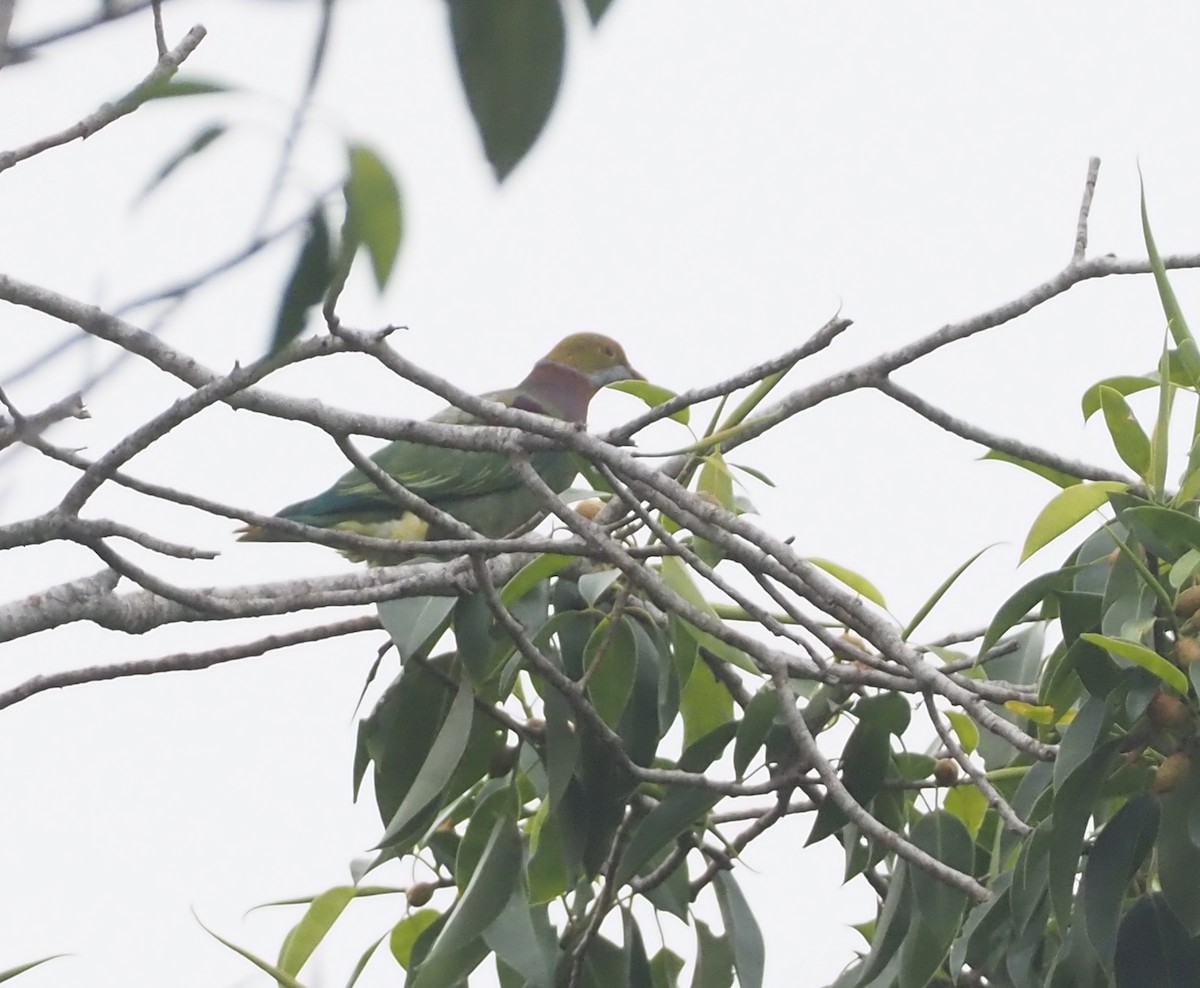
x=1113 y=861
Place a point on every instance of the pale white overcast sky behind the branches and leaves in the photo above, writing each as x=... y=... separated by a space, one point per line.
x=716 y=182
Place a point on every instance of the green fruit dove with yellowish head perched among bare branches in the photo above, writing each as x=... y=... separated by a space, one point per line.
x=479 y=489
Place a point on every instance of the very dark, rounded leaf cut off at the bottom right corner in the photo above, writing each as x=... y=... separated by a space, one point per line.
x=1154 y=951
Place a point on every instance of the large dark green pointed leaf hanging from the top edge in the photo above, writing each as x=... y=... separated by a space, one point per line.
x=511 y=62
